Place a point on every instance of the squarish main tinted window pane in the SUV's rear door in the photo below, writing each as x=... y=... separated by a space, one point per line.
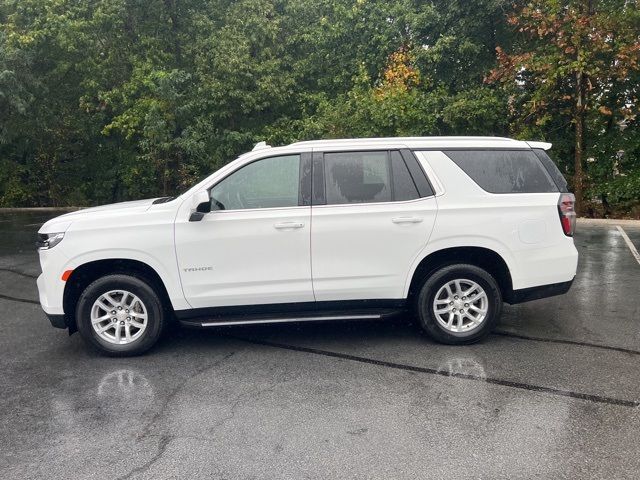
x=357 y=177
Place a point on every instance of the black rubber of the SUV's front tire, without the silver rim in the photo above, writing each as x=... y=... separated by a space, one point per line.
x=137 y=286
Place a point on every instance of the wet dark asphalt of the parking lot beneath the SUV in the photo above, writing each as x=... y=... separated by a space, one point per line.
x=554 y=393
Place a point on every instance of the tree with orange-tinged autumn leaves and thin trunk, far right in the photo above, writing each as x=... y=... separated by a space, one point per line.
x=573 y=59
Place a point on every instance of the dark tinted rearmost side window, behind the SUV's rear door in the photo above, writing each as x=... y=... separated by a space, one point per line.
x=504 y=171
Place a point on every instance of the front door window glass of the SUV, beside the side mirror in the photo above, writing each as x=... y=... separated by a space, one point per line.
x=267 y=183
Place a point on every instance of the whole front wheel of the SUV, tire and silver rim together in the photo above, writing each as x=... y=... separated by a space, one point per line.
x=139 y=316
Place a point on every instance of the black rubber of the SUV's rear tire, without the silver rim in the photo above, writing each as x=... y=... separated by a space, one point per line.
x=438 y=279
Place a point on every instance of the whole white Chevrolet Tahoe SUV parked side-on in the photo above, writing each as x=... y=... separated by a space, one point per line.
x=446 y=227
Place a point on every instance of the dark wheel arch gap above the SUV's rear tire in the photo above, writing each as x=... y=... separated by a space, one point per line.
x=482 y=257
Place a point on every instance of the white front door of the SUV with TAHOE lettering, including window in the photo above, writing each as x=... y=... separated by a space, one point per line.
x=253 y=247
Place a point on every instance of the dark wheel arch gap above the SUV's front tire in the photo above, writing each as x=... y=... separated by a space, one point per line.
x=88 y=272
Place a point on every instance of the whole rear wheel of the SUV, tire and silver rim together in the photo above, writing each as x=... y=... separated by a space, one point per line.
x=470 y=326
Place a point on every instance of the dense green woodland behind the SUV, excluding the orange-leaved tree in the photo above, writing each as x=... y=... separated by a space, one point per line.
x=111 y=100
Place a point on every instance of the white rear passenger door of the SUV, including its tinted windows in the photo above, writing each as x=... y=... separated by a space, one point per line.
x=373 y=212
